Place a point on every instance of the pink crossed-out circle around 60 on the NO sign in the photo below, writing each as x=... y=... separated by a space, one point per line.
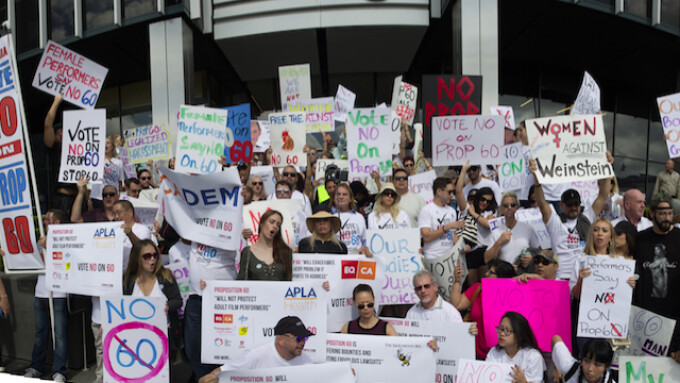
x=113 y=334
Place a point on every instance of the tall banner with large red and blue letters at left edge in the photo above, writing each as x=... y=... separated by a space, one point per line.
x=16 y=212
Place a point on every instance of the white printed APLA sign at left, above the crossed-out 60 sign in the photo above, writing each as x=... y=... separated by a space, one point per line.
x=85 y=258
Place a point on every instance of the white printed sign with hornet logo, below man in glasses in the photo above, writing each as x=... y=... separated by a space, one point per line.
x=383 y=358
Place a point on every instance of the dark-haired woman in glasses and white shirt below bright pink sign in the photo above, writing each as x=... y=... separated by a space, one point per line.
x=517 y=346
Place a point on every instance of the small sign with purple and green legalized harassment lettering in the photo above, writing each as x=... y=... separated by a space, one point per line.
x=147 y=143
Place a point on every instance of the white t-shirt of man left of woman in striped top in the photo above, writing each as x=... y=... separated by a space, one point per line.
x=435 y=217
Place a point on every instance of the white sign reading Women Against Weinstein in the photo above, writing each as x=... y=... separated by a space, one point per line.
x=569 y=148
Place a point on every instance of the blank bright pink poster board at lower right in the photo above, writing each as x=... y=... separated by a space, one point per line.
x=544 y=303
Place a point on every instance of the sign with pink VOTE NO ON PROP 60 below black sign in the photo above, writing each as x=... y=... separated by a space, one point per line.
x=459 y=139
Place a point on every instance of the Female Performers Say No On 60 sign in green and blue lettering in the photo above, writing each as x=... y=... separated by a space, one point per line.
x=201 y=137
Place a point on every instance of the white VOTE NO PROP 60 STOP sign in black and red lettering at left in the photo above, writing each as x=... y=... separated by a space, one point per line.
x=83 y=144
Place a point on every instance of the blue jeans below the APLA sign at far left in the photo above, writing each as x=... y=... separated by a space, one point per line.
x=41 y=312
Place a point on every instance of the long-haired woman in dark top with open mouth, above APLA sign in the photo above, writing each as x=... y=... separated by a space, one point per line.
x=269 y=259
